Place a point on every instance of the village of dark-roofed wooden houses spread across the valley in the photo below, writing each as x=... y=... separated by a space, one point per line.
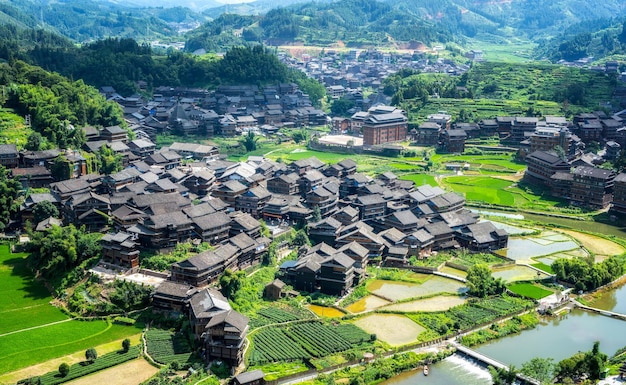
x=187 y=192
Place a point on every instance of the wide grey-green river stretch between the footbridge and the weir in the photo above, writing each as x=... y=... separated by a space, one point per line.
x=559 y=338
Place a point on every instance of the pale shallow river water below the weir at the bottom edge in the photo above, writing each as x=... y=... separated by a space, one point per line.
x=453 y=370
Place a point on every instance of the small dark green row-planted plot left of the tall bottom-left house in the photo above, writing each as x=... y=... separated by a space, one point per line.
x=166 y=347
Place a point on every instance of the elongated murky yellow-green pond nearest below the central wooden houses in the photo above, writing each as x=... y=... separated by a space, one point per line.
x=396 y=290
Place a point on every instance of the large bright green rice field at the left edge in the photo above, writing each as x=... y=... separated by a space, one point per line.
x=32 y=330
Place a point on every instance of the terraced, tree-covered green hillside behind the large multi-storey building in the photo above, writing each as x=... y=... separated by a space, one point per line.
x=489 y=89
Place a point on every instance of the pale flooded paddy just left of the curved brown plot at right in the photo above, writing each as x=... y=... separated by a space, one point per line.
x=530 y=247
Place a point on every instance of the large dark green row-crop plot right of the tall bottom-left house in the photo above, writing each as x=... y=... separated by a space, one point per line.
x=303 y=340
